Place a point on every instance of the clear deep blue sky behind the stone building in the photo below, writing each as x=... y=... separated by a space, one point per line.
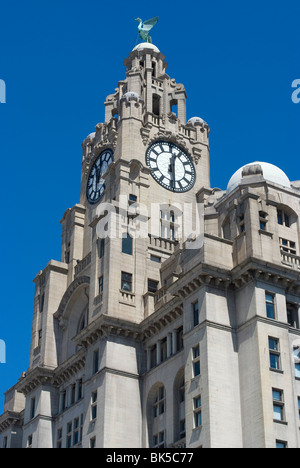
x=61 y=58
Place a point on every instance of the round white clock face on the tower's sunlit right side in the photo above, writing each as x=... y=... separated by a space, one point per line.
x=170 y=166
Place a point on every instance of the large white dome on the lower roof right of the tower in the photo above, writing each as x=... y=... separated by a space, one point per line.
x=268 y=171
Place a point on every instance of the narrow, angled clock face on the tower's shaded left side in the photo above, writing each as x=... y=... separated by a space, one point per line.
x=95 y=185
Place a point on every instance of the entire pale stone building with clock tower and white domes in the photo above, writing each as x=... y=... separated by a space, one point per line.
x=172 y=319
